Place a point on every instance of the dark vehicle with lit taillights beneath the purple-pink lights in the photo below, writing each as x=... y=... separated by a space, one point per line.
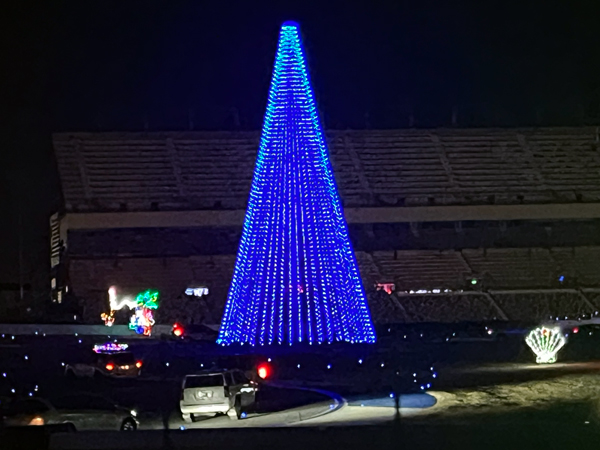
x=114 y=364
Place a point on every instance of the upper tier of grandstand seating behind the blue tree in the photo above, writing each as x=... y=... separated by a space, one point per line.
x=213 y=170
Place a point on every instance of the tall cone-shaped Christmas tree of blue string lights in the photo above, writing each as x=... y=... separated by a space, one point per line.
x=295 y=278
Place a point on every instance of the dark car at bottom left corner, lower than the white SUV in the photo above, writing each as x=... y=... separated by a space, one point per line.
x=81 y=412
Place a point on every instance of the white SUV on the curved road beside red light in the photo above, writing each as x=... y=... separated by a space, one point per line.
x=216 y=392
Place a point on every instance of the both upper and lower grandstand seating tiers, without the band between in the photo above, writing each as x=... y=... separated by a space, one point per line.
x=179 y=171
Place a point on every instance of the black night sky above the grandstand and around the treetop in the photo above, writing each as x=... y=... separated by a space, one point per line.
x=128 y=65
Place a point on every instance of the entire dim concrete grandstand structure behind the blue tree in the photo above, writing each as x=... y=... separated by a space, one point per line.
x=447 y=224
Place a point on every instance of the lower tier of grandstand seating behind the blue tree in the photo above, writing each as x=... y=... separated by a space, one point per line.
x=515 y=284
